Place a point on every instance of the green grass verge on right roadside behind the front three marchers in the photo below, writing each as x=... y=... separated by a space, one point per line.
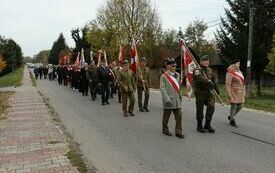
x=265 y=102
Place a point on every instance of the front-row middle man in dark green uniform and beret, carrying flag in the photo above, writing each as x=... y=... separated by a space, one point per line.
x=204 y=84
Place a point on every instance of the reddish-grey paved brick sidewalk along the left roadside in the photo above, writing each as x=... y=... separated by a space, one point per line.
x=29 y=139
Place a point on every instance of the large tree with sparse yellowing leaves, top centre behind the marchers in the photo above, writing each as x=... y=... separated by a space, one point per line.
x=120 y=21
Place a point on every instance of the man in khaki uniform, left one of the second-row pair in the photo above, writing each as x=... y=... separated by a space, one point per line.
x=127 y=86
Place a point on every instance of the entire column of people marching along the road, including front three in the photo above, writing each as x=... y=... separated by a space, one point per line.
x=108 y=79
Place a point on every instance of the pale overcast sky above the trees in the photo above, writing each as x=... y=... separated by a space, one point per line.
x=36 y=24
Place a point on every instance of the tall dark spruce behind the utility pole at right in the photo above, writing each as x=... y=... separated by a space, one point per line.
x=232 y=37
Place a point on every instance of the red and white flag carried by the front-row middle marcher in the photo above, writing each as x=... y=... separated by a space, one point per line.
x=189 y=66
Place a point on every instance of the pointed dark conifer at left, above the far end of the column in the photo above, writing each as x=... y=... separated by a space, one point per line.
x=58 y=46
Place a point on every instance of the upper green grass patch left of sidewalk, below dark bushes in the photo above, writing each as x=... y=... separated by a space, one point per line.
x=12 y=79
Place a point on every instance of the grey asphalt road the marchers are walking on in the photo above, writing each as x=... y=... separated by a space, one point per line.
x=116 y=144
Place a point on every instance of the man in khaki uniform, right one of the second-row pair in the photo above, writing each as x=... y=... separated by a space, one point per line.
x=143 y=85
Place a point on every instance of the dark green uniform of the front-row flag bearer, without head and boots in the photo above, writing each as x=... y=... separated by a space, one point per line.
x=203 y=93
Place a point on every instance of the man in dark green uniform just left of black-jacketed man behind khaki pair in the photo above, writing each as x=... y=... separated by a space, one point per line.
x=93 y=79
